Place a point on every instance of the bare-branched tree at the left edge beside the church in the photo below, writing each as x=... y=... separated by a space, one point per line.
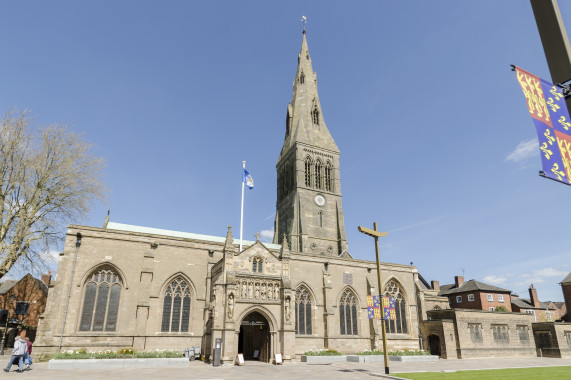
x=48 y=177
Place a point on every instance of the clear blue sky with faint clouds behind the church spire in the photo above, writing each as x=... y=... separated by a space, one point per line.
x=432 y=126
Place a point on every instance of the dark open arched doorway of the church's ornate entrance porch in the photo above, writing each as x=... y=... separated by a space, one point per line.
x=254 y=338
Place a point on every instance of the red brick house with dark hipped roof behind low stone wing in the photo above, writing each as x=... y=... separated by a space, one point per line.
x=474 y=294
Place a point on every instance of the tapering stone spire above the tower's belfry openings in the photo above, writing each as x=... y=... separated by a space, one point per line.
x=304 y=120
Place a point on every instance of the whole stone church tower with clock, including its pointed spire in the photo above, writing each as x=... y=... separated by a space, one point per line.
x=308 y=209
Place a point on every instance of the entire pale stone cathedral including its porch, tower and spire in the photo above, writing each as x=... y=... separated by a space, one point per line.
x=147 y=288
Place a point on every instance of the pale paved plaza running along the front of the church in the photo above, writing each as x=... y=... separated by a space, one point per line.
x=296 y=370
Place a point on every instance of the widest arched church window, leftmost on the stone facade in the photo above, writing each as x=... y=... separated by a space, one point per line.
x=101 y=301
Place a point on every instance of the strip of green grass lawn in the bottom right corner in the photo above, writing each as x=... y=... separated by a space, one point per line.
x=542 y=373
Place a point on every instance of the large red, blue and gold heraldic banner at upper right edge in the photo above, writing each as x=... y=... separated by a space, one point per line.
x=547 y=107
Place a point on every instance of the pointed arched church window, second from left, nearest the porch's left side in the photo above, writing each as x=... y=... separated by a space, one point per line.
x=176 y=306
